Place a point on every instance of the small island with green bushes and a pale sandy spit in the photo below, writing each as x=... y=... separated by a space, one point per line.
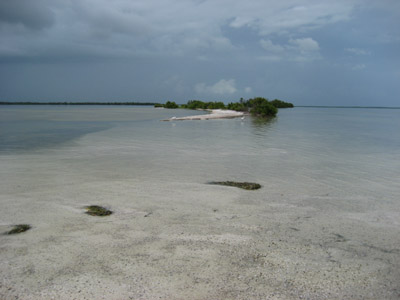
x=258 y=107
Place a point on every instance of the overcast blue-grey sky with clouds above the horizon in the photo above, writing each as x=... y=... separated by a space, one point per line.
x=308 y=52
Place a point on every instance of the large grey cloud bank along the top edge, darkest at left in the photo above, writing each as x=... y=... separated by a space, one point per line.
x=125 y=28
